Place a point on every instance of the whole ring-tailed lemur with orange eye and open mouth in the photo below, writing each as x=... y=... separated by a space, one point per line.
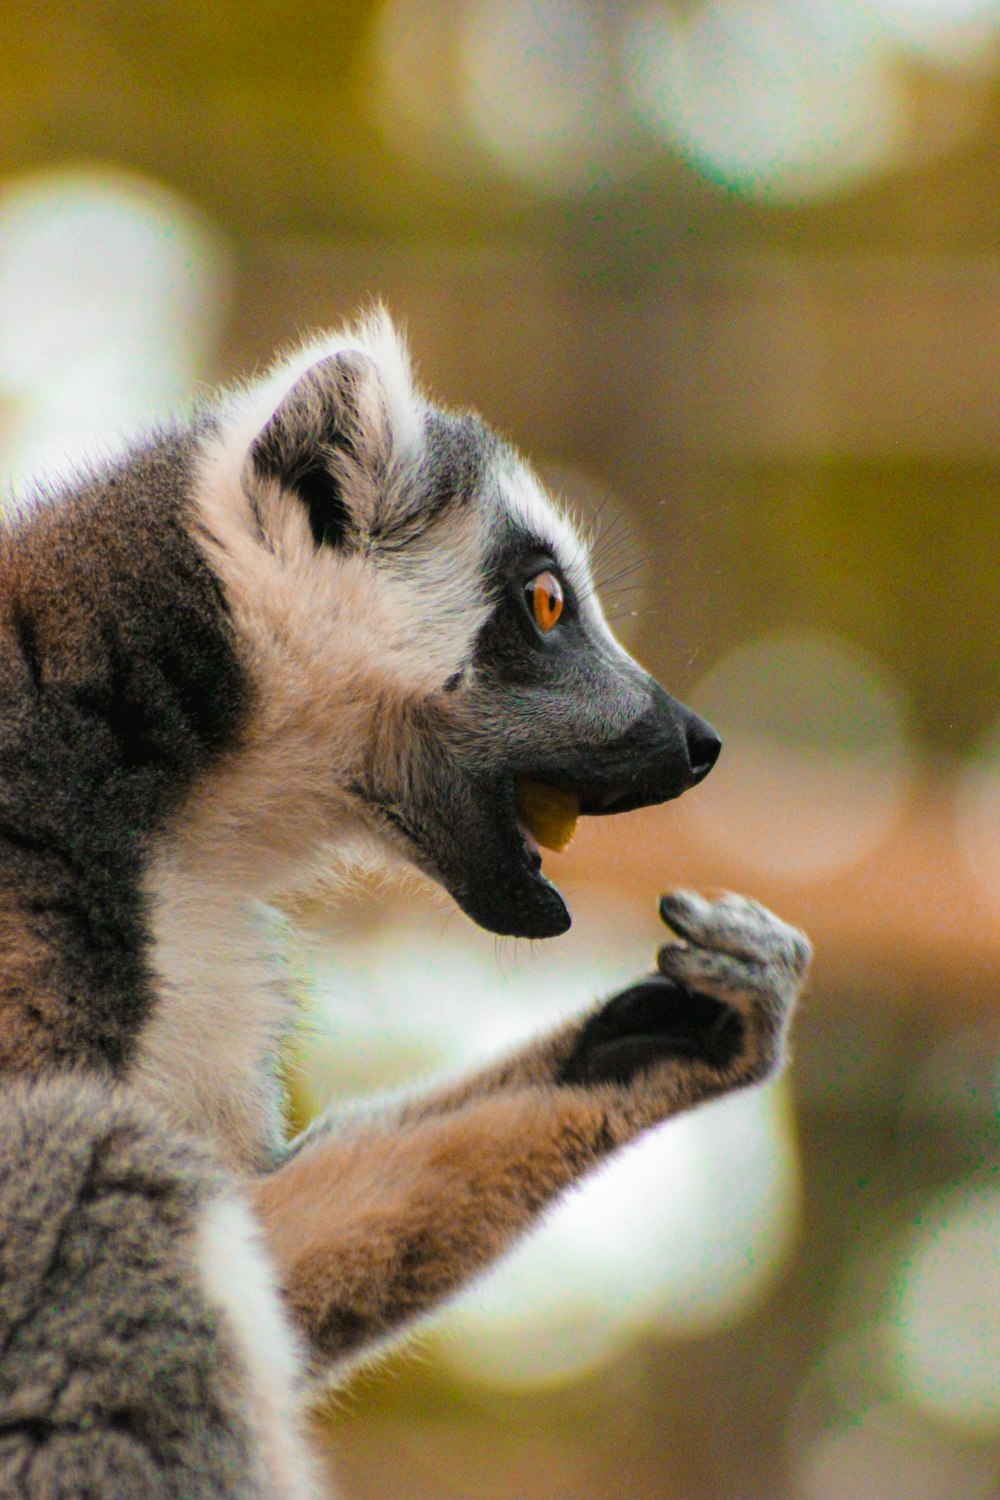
x=320 y=614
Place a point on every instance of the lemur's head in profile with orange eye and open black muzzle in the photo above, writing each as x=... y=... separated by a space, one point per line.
x=427 y=632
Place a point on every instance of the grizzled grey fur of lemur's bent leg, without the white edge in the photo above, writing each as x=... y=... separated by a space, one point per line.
x=116 y=1376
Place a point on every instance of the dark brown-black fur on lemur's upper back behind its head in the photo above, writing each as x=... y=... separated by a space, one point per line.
x=119 y=686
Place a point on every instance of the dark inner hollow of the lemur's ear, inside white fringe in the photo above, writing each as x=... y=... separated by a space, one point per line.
x=328 y=440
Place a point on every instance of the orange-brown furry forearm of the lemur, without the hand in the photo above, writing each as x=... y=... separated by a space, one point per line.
x=371 y=1232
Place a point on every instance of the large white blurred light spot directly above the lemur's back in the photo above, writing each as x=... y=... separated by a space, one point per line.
x=112 y=296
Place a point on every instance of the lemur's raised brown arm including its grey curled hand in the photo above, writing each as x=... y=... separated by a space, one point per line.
x=374 y=1226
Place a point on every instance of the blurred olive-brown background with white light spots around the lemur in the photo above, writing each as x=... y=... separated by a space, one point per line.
x=731 y=274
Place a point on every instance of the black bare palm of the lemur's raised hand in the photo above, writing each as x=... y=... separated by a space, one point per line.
x=654 y=1021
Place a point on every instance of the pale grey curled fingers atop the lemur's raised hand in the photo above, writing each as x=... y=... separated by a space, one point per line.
x=735 y=926
